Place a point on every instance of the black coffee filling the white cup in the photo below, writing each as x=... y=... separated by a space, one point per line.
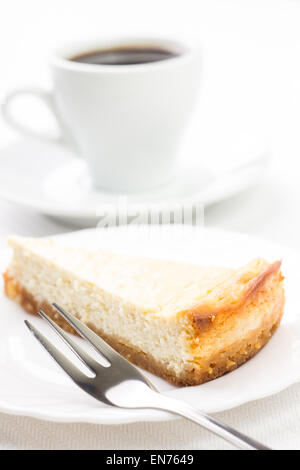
x=125 y=56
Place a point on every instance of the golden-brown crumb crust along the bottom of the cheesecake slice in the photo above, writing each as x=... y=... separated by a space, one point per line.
x=238 y=353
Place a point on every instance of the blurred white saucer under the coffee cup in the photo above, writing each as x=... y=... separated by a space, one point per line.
x=49 y=179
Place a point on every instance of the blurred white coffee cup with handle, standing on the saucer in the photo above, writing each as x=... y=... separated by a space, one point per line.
x=126 y=121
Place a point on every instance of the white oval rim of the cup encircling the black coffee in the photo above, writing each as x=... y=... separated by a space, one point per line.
x=62 y=55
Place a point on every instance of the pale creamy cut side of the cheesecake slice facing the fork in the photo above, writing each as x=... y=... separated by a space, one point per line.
x=164 y=340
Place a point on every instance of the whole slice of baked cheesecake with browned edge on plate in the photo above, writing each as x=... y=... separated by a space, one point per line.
x=186 y=323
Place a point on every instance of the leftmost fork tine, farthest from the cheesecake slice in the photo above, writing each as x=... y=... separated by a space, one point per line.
x=75 y=374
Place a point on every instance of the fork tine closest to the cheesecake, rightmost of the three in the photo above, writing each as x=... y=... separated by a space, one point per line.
x=98 y=343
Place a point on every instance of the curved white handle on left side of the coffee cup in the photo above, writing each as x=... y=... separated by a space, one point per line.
x=48 y=100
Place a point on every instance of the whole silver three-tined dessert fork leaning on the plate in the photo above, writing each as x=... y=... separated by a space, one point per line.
x=122 y=385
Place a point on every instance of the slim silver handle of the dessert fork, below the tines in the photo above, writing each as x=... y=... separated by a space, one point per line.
x=239 y=440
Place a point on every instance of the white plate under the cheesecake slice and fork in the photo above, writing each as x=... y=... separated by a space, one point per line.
x=32 y=384
